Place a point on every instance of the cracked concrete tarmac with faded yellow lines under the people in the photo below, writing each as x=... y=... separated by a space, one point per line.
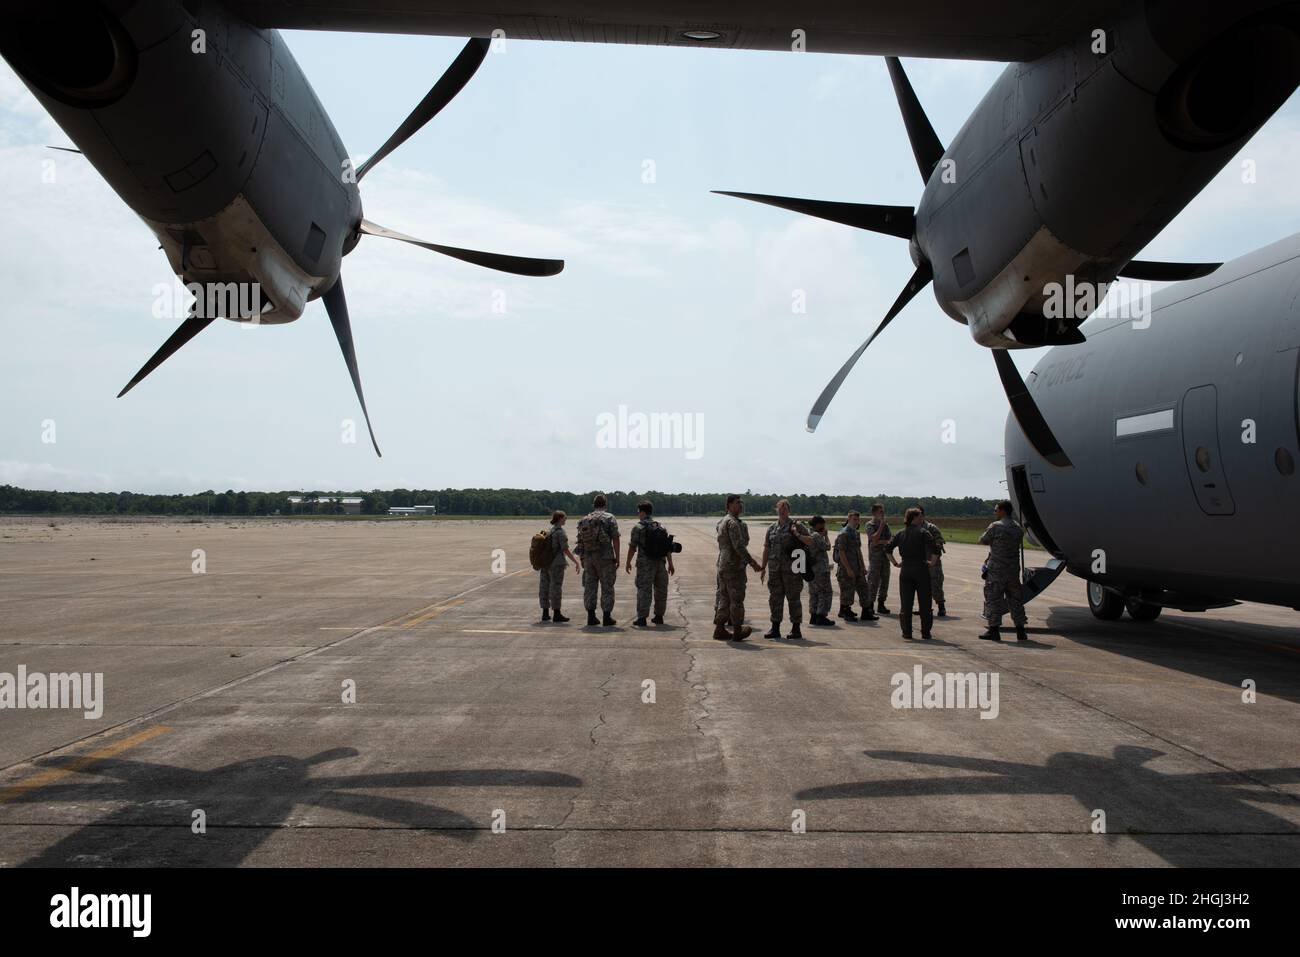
x=476 y=735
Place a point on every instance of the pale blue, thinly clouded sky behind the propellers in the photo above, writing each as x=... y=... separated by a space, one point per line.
x=673 y=300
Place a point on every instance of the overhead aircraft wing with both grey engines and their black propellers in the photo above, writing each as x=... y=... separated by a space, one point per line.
x=1111 y=119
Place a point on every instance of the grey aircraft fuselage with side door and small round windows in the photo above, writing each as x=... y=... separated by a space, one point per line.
x=1185 y=434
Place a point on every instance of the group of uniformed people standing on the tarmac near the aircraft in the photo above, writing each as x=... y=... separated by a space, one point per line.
x=795 y=553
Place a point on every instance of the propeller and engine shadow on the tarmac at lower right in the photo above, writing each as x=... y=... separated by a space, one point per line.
x=1150 y=807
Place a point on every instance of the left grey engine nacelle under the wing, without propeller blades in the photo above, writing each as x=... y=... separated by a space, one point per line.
x=209 y=131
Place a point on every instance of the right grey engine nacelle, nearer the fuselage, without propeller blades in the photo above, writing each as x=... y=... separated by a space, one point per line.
x=1074 y=163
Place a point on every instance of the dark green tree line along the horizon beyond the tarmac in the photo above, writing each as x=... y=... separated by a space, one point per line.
x=454 y=503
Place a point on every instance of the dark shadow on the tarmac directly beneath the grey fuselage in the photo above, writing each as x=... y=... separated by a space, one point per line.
x=1217 y=651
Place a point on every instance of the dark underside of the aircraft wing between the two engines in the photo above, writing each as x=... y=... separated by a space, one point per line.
x=1003 y=31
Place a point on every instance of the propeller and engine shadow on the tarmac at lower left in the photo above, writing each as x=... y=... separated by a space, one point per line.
x=244 y=806
